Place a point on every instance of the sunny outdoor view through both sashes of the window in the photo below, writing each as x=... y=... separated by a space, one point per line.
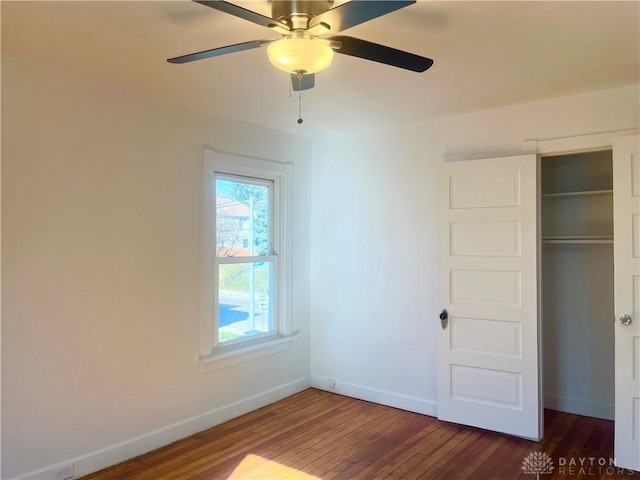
x=244 y=258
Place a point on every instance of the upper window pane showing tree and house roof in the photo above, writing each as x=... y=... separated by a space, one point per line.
x=242 y=218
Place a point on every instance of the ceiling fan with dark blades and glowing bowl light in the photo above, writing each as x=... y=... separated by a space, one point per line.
x=305 y=48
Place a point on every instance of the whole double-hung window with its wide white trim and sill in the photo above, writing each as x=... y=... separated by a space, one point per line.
x=246 y=271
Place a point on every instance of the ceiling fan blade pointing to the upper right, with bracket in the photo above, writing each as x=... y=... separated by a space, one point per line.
x=356 y=12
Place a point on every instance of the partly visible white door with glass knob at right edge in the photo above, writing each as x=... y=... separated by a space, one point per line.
x=626 y=202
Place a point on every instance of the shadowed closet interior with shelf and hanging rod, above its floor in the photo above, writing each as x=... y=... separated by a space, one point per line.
x=577 y=283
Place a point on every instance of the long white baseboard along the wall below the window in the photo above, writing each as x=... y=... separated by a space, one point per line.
x=120 y=452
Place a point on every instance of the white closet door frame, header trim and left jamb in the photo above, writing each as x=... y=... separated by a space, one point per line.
x=552 y=147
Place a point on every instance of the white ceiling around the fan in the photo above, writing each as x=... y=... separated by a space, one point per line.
x=487 y=54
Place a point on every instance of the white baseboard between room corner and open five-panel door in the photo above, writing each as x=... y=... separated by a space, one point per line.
x=383 y=397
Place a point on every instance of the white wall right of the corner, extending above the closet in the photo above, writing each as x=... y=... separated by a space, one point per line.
x=374 y=211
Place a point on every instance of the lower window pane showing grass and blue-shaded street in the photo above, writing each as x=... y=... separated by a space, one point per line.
x=245 y=306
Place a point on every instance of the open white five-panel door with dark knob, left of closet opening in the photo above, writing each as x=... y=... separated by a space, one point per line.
x=488 y=350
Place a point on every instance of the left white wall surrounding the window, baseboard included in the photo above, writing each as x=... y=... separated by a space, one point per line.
x=101 y=234
